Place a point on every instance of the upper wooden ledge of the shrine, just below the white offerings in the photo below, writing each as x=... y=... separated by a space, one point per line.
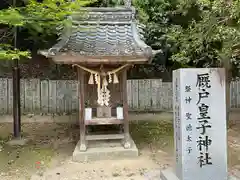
x=104 y=121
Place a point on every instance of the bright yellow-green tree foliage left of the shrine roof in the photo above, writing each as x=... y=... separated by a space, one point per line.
x=37 y=19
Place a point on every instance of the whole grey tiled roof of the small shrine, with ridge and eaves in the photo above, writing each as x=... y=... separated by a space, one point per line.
x=101 y=32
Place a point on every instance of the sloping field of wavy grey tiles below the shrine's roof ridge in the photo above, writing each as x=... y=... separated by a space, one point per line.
x=116 y=40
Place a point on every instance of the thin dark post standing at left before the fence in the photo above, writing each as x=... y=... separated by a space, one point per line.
x=16 y=91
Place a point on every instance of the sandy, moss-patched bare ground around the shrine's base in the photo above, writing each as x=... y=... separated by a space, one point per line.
x=49 y=151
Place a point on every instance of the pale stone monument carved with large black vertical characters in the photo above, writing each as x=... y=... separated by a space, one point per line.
x=199 y=125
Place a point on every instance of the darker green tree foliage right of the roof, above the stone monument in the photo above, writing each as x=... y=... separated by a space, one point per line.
x=200 y=33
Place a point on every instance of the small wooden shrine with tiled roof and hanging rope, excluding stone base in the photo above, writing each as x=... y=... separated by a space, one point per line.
x=102 y=44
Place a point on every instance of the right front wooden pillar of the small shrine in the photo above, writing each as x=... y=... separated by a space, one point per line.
x=126 y=142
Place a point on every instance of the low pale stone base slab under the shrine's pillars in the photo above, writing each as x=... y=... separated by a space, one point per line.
x=104 y=150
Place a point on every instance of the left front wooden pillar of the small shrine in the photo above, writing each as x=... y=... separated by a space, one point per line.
x=82 y=145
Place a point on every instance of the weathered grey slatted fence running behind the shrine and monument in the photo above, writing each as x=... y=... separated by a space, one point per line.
x=60 y=96
